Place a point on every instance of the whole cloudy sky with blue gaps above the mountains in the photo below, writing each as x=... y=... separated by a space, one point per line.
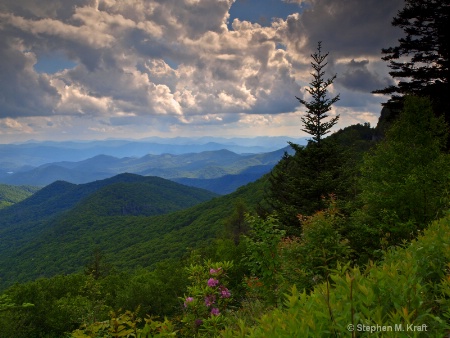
x=98 y=69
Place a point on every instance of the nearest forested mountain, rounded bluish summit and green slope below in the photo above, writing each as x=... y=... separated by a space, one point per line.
x=133 y=219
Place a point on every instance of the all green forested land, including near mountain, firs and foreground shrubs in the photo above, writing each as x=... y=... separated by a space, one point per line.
x=347 y=237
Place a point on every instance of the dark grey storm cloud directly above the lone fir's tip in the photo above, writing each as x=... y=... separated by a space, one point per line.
x=351 y=27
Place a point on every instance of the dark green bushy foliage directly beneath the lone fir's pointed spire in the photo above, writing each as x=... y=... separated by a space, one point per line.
x=300 y=182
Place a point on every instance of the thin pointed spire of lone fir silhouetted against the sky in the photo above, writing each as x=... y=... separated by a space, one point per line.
x=320 y=104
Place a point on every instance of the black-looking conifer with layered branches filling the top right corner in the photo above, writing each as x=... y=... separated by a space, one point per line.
x=420 y=62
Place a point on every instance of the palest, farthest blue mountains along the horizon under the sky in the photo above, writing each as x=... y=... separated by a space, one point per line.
x=35 y=153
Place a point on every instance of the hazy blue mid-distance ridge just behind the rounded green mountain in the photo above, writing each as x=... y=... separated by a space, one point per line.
x=221 y=171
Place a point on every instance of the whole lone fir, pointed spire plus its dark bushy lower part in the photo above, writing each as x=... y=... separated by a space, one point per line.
x=300 y=183
